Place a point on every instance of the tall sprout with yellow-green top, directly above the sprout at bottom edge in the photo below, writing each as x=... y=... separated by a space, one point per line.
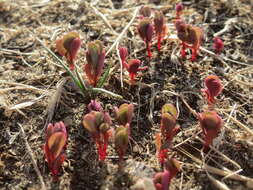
x=169 y=128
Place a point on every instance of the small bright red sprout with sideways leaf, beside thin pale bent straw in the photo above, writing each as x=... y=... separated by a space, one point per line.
x=132 y=66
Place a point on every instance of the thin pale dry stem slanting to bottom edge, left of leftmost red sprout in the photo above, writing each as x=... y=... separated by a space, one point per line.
x=43 y=186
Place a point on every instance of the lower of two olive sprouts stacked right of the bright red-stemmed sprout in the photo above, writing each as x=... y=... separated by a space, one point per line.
x=121 y=140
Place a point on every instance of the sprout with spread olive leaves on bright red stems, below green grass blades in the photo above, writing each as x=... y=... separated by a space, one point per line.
x=98 y=124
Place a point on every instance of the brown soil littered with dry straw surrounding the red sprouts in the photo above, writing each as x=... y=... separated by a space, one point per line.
x=35 y=90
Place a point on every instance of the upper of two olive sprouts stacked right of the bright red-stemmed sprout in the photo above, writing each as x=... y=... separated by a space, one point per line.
x=124 y=114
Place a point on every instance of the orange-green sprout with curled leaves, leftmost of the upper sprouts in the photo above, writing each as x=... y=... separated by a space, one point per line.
x=68 y=46
